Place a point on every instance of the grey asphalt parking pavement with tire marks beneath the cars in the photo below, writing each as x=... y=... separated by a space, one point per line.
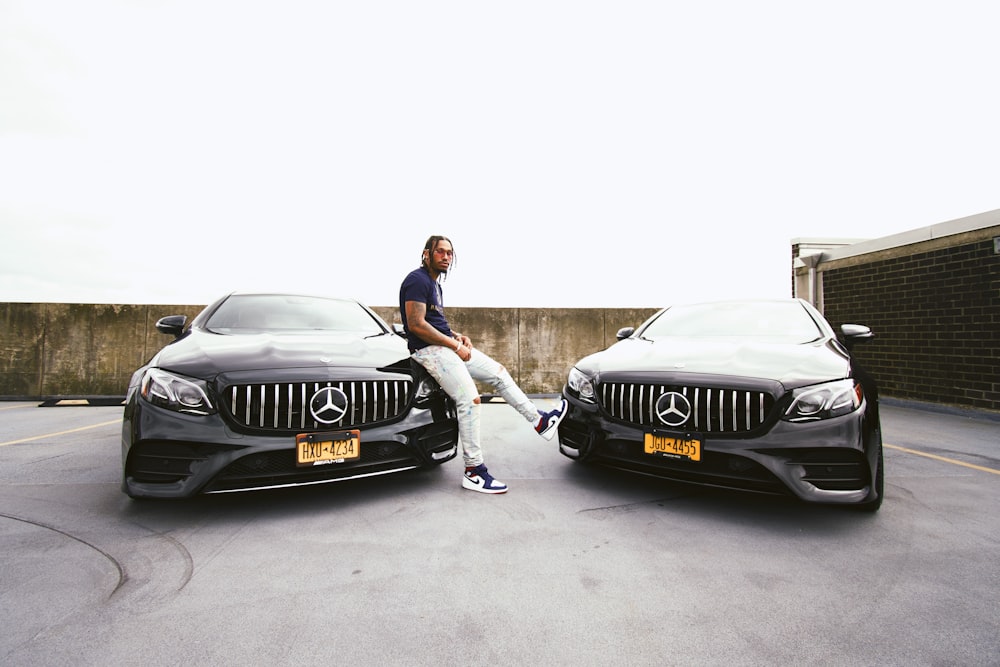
x=575 y=565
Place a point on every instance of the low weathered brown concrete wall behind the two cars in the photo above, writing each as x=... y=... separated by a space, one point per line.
x=52 y=350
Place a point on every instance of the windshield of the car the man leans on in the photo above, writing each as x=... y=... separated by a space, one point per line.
x=253 y=313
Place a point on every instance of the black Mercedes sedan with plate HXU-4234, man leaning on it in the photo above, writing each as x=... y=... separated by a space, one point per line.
x=273 y=390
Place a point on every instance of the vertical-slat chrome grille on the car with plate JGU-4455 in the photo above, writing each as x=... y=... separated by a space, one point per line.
x=713 y=410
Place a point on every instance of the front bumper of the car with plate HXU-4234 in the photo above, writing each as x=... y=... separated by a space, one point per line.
x=166 y=454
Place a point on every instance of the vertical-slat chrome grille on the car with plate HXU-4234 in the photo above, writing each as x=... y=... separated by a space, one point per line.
x=284 y=406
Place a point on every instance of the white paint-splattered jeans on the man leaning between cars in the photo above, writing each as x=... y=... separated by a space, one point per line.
x=458 y=379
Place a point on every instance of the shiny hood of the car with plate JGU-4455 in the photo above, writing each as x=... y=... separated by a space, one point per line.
x=792 y=365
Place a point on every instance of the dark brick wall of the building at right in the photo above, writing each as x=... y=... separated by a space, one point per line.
x=935 y=310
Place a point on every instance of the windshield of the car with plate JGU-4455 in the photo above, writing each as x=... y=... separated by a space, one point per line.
x=776 y=321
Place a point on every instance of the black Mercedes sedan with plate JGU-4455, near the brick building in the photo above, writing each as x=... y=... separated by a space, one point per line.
x=755 y=395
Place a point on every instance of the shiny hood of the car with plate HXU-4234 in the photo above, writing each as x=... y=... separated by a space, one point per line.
x=203 y=354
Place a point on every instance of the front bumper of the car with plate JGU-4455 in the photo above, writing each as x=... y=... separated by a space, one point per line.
x=828 y=461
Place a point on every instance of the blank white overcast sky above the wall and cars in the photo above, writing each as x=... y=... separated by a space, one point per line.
x=578 y=153
